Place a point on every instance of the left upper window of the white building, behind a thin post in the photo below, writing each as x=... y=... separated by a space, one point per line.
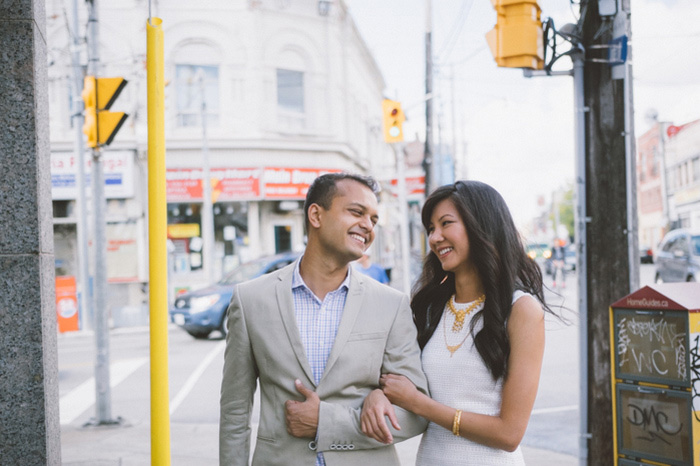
x=196 y=84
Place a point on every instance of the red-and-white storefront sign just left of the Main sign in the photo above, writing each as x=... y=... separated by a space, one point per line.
x=228 y=184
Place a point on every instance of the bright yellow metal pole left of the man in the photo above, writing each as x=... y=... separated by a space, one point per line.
x=157 y=248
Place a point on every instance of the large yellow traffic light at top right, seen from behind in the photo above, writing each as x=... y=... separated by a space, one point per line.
x=516 y=41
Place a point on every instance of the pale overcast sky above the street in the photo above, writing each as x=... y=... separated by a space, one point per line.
x=512 y=132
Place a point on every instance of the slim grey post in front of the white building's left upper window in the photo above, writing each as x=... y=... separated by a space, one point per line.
x=207 y=214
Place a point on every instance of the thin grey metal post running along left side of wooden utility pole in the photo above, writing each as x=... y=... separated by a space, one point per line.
x=581 y=257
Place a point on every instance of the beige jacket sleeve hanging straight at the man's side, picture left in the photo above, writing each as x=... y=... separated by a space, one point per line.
x=237 y=388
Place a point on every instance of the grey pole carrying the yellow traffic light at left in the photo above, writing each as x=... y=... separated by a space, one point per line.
x=102 y=382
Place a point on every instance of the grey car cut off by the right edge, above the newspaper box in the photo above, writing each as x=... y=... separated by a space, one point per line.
x=678 y=257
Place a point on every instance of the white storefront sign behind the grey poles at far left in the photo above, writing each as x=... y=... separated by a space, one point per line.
x=118 y=174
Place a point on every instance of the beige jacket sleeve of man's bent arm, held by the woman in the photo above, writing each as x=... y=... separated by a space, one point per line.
x=341 y=424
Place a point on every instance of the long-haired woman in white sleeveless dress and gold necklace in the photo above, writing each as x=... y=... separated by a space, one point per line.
x=479 y=309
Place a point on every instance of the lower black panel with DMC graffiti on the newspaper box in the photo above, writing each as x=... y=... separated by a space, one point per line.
x=654 y=424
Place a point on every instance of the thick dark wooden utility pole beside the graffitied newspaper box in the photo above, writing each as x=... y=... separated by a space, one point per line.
x=610 y=239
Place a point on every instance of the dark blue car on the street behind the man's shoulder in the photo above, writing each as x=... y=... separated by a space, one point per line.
x=203 y=311
